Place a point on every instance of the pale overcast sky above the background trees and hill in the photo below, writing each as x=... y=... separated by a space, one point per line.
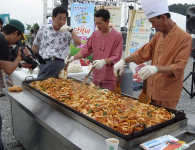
x=31 y=11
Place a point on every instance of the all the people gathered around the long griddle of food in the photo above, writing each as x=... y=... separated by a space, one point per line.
x=168 y=50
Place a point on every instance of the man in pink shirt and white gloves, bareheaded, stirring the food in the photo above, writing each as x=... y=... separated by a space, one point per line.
x=105 y=44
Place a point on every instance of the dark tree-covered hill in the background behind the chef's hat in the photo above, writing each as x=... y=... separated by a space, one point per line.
x=180 y=8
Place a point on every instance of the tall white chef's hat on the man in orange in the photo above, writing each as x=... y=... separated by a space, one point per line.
x=153 y=8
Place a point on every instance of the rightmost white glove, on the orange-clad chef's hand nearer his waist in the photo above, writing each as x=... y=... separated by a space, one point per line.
x=147 y=71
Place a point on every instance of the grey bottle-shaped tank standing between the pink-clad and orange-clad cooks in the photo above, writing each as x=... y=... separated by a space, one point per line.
x=127 y=81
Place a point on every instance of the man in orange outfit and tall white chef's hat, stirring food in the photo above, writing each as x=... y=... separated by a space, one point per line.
x=168 y=50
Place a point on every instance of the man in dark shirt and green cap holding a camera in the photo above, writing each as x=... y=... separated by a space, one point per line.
x=11 y=33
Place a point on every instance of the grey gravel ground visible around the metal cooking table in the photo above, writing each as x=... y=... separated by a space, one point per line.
x=10 y=143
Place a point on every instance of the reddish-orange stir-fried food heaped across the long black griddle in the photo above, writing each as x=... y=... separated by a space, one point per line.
x=113 y=110
